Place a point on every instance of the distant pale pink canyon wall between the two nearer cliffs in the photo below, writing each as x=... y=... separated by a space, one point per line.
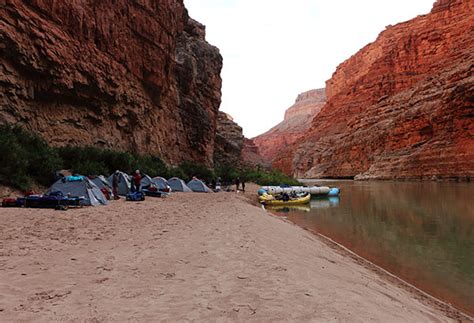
x=295 y=124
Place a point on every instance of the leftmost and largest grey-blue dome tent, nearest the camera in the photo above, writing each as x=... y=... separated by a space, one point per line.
x=79 y=186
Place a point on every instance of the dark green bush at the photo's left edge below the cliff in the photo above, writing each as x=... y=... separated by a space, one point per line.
x=25 y=158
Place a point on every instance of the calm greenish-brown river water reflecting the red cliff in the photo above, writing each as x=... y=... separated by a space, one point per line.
x=422 y=232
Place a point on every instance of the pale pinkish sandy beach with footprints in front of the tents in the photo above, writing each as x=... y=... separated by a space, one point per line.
x=191 y=256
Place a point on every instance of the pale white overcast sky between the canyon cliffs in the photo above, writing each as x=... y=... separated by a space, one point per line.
x=275 y=49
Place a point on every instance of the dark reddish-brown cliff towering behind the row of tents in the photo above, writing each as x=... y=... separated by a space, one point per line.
x=124 y=74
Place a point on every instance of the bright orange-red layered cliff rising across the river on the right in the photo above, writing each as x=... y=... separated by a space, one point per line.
x=402 y=107
